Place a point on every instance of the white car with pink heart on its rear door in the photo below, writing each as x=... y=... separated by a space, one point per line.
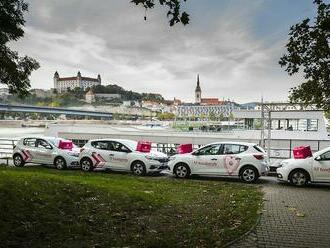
x=244 y=160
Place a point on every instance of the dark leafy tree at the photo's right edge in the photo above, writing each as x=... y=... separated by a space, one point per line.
x=308 y=50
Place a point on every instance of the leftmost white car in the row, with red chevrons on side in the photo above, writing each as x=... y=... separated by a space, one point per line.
x=45 y=150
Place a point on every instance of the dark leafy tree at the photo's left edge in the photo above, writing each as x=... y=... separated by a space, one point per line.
x=14 y=70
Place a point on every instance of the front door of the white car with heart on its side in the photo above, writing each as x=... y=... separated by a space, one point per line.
x=207 y=159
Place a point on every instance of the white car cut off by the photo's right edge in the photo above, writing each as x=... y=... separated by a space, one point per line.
x=299 y=172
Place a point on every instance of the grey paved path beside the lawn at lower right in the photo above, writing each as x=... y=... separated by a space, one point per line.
x=292 y=217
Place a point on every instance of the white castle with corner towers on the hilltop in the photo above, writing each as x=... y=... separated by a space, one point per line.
x=62 y=84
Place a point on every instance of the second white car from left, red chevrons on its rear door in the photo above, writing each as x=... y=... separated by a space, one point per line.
x=120 y=155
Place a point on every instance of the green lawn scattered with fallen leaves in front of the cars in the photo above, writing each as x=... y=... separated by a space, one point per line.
x=42 y=207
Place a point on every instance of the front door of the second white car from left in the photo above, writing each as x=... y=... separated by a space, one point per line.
x=118 y=154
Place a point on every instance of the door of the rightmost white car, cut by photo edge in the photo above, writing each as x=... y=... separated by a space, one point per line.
x=321 y=167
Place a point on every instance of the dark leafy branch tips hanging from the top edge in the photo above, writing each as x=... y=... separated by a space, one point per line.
x=174 y=10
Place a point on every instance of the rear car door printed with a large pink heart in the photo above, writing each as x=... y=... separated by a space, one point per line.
x=231 y=158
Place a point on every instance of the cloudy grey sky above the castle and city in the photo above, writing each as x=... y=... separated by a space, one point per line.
x=234 y=45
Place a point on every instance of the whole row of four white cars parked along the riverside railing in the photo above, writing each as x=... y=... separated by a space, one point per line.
x=235 y=159
